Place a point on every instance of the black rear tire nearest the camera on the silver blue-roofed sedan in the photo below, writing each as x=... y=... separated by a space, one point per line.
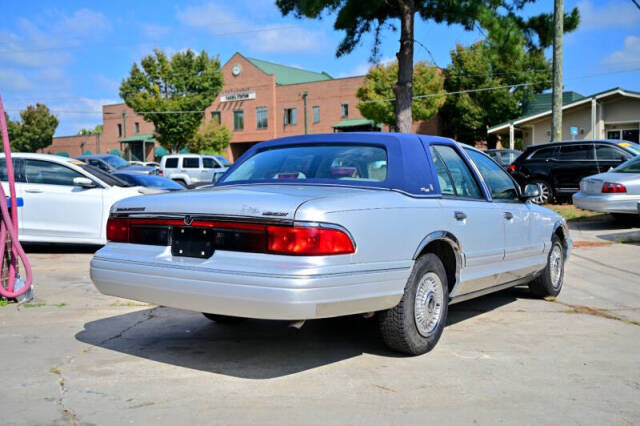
x=399 y=325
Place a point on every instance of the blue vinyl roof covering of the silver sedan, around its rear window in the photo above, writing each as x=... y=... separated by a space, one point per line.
x=408 y=167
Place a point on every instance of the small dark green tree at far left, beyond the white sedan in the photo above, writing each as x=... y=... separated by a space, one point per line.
x=35 y=129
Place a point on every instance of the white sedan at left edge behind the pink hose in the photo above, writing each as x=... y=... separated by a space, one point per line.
x=65 y=200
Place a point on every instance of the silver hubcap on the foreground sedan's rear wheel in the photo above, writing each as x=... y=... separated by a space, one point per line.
x=428 y=304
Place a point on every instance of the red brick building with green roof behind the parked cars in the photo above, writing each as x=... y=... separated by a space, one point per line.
x=260 y=100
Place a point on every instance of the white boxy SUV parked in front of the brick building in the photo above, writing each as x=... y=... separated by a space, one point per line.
x=192 y=170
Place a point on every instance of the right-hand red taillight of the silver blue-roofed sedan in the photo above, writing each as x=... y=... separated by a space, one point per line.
x=307 y=241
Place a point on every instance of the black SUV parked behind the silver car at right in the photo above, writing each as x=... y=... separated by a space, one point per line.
x=559 y=167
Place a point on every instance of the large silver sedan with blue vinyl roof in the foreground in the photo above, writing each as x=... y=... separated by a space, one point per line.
x=285 y=236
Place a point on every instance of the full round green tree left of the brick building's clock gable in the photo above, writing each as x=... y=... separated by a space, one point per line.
x=173 y=93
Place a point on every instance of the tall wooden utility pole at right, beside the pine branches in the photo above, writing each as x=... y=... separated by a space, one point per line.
x=556 y=108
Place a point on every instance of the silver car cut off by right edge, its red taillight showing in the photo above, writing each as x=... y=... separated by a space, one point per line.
x=616 y=191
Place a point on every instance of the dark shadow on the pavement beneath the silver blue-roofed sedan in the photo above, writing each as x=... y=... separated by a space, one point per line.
x=253 y=349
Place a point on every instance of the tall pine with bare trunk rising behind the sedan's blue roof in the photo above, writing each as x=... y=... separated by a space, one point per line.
x=357 y=18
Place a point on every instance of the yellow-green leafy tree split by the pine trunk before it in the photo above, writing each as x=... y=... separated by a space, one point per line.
x=377 y=89
